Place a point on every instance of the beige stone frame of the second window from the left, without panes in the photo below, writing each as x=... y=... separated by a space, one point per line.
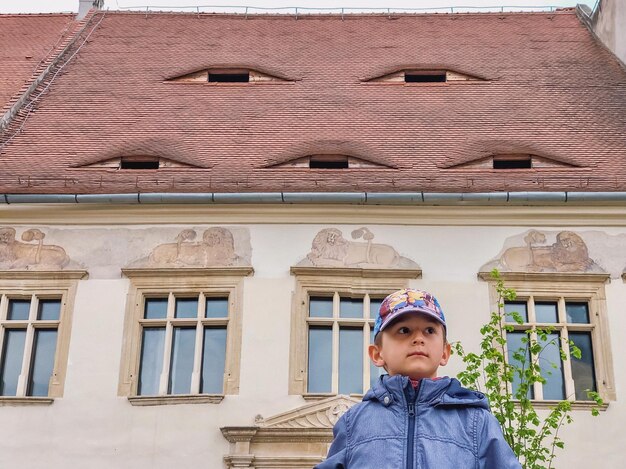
x=181 y=282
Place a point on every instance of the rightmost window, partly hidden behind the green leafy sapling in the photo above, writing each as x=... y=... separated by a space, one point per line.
x=576 y=311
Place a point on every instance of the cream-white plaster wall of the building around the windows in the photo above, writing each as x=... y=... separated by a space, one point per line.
x=91 y=427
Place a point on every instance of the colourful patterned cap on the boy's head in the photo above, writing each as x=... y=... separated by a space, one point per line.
x=407 y=301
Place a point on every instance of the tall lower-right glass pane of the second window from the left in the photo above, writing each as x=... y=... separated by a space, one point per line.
x=213 y=360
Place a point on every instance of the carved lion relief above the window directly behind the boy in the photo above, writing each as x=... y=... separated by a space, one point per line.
x=331 y=249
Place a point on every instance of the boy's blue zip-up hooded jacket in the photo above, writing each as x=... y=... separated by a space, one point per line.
x=440 y=426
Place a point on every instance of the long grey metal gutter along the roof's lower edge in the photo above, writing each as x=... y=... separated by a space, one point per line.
x=349 y=198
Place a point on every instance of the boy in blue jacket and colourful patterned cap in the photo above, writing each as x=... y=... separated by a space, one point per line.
x=411 y=419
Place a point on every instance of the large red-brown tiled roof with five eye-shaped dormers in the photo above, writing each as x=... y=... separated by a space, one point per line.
x=550 y=90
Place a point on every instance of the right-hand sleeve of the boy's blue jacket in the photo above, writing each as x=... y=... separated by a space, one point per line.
x=493 y=450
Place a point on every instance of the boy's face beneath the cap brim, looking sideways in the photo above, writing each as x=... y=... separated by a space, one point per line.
x=413 y=346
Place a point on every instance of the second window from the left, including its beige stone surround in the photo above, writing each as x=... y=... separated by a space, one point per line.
x=184 y=331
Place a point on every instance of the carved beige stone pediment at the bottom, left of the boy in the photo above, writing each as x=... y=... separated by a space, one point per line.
x=297 y=439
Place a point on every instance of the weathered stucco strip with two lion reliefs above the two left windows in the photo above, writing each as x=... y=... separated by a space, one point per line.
x=104 y=251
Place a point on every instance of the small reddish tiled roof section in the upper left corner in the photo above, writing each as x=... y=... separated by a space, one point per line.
x=26 y=43
